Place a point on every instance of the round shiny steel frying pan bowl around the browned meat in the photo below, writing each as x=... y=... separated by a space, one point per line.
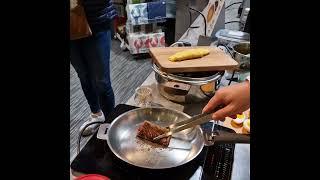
x=184 y=146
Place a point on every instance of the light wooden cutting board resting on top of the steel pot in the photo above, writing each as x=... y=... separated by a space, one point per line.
x=217 y=60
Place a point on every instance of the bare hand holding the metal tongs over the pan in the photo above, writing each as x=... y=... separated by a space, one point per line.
x=235 y=99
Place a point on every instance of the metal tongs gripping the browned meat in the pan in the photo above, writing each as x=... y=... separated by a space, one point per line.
x=180 y=126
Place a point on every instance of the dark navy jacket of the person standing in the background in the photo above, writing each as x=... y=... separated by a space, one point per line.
x=99 y=14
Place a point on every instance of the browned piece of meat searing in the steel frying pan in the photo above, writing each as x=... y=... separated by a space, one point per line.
x=149 y=131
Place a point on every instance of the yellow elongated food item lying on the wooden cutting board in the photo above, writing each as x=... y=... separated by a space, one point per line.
x=189 y=54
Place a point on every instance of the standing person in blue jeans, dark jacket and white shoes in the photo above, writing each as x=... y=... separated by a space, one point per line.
x=90 y=57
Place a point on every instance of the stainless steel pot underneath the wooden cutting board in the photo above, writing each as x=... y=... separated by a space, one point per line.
x=187 y=88
